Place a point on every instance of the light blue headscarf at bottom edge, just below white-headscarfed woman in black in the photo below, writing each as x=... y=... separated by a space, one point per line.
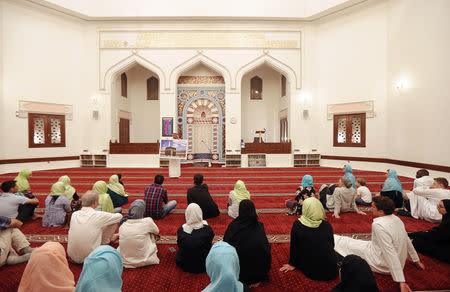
x=222 y=266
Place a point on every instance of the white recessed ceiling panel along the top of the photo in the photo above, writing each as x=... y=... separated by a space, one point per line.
x=252 y=9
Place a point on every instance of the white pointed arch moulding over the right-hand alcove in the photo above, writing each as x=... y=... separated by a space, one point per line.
x=276 y=64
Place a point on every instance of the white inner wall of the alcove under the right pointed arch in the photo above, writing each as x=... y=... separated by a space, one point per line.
x=260 y=114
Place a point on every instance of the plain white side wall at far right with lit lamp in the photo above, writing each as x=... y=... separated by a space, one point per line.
x=418 y=52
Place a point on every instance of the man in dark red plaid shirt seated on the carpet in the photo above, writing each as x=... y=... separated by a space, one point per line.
x=157 y=205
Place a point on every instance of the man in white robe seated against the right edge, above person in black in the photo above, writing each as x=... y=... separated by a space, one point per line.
x=423 y=201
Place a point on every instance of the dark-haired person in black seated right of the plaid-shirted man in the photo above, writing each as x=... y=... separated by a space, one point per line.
x=200 y=195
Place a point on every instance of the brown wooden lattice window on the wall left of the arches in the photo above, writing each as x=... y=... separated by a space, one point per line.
x=46 y=130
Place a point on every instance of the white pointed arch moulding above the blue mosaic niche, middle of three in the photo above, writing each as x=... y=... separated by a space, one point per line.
x=200 y=58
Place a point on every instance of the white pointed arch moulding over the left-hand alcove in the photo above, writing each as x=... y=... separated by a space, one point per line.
x=127 y=63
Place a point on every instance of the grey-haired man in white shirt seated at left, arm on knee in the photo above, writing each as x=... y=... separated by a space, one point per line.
x=90 y=228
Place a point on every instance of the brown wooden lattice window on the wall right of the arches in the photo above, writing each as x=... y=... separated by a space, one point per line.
x=350 y=130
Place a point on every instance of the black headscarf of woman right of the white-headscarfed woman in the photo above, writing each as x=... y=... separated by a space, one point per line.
x=247 y=220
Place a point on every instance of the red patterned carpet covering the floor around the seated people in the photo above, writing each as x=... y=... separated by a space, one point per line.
x=270 y=187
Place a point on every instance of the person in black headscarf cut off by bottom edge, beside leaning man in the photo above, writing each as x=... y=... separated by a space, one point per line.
x=355 y=275
